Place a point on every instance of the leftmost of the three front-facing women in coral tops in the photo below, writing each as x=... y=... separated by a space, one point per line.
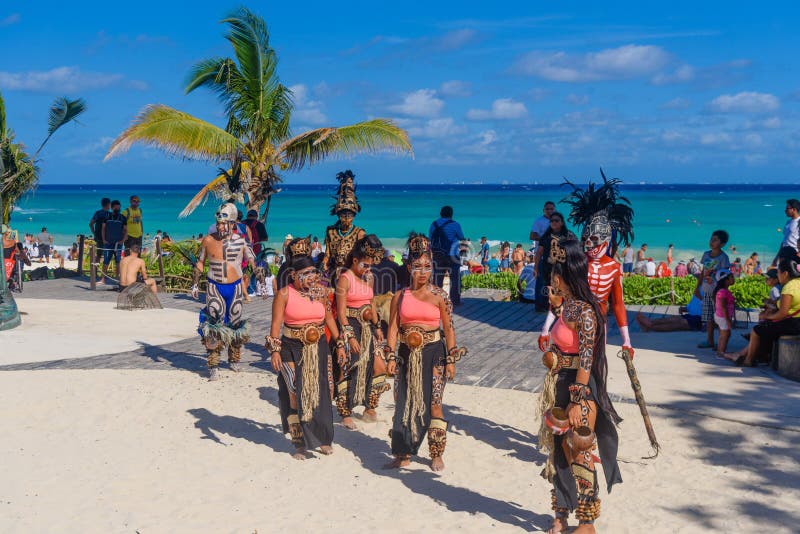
x=301 y=357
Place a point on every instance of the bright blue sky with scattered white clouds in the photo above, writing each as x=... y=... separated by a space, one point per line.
x=512 y=91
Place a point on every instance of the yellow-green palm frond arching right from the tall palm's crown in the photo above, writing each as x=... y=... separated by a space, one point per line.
x=377 y=135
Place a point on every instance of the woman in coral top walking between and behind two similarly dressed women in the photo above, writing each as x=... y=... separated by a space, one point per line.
x=358 y=320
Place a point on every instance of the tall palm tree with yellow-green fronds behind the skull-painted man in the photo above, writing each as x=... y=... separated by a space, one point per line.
x=257 y=143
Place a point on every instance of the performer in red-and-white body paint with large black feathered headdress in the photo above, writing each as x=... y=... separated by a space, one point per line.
x=606 y=219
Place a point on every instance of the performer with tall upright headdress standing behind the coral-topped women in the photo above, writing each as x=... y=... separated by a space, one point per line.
x=342 y=236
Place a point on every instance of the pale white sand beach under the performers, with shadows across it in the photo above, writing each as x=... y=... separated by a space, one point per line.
x=150 y=451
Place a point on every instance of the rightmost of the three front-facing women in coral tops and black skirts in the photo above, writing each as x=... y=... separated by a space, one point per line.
x=422 y=364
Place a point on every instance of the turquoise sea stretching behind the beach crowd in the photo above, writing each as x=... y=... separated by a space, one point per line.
x=681 y=214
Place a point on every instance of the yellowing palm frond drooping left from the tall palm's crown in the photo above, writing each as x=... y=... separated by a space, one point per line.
x=176 y=133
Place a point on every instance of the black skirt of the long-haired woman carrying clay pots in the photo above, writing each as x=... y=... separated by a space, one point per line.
x=607 y=444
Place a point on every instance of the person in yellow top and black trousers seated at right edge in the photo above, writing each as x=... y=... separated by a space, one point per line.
x=785 y=321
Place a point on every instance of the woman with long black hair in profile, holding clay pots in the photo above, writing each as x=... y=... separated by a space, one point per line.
x=576 y=385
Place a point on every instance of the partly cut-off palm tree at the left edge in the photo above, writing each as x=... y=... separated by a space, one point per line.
x=19 y=172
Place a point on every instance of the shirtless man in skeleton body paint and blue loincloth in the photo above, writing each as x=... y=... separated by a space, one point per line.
x=221 y=321
